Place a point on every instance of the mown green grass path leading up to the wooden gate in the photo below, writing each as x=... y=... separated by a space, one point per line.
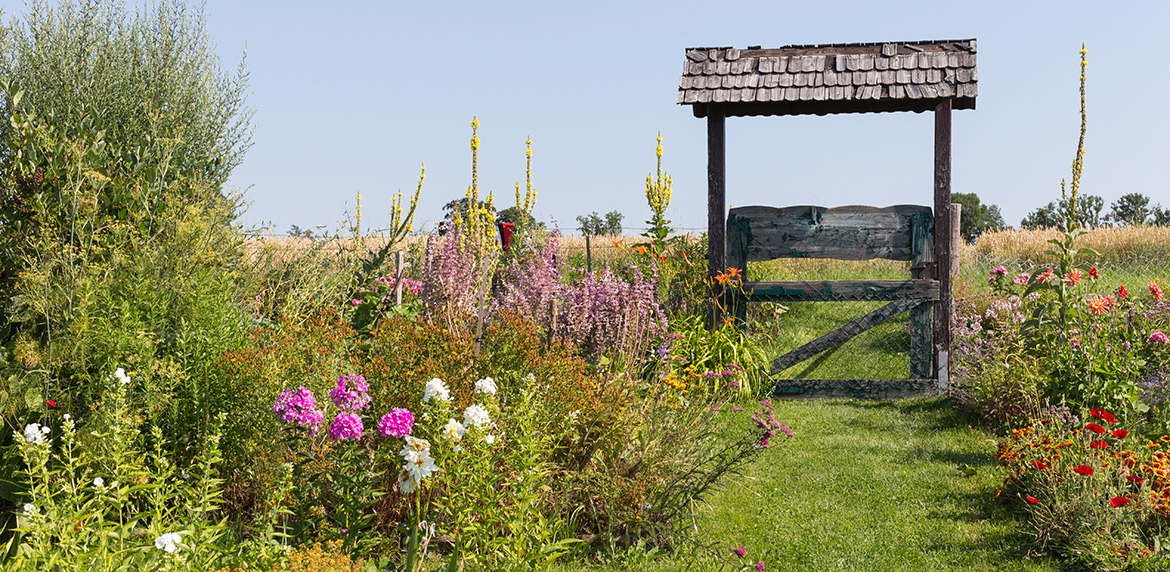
x=866 y=486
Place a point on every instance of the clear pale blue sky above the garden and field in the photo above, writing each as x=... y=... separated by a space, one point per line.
x=354 y=97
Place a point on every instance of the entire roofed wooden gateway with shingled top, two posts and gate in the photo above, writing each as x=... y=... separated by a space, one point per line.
x=920 y=77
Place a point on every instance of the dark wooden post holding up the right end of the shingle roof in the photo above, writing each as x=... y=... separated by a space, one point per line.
x=942 y=239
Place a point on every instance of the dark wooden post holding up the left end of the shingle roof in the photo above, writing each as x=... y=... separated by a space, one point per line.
x=717 y=208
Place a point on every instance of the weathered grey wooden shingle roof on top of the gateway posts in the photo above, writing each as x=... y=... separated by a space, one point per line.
x=831 y=79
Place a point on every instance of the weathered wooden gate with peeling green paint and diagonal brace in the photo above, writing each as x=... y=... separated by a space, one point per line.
x=901 y=233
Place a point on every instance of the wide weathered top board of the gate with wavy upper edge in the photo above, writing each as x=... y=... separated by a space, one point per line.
x=814 y=232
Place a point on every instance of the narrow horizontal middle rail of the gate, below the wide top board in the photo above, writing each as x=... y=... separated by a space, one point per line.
x=837 y=291
